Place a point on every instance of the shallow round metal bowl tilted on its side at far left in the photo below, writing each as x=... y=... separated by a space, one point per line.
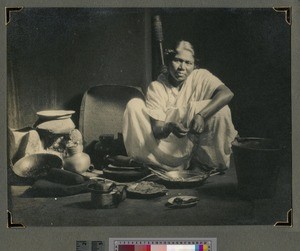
x=36 y=165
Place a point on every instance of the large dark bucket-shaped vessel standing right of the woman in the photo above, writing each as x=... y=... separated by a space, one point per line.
x=257 y=162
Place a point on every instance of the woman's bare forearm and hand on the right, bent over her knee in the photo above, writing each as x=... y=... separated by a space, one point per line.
x=221 y=97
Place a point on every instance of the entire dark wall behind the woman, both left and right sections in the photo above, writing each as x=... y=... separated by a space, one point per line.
x=55 y=55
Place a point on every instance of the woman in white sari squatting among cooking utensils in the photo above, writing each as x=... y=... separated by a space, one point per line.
x=185 y=122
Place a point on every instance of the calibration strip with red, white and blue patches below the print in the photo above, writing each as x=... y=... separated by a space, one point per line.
x=160 y=245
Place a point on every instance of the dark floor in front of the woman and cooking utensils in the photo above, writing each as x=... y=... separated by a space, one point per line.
x=219 y=203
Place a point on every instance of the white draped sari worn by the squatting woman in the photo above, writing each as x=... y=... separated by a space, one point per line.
x=212 y=148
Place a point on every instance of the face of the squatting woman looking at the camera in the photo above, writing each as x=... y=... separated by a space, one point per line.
x=182 y=65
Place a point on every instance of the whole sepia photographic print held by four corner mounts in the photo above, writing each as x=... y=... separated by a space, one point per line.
x=149 y=116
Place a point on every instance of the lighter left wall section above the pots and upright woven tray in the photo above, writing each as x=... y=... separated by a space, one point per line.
x=55 y=55
